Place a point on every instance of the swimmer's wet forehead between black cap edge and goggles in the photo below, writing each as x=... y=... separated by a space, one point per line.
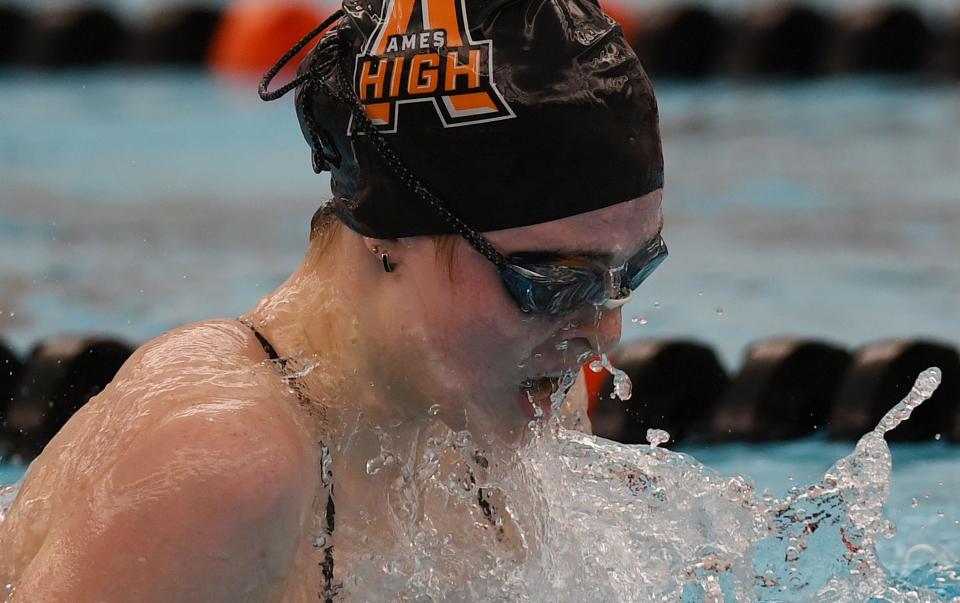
x=617 y=230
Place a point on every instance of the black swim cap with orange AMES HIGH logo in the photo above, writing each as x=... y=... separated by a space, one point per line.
x=512 y=112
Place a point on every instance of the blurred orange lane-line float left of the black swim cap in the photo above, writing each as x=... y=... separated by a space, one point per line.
x=254 y=34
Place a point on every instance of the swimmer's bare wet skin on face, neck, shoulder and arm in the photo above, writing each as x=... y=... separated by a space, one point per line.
x=194 y=475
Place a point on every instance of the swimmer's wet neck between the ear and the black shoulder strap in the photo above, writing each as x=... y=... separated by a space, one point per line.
x=320 y=321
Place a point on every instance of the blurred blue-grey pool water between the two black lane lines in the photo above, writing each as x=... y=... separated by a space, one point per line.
x=131 y=203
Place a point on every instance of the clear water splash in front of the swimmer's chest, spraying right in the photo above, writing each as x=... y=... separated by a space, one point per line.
x=576 y=517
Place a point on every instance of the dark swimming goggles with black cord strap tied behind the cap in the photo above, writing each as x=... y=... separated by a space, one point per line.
x=540 y=284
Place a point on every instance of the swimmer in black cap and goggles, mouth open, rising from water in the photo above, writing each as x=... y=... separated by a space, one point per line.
x=497 y=178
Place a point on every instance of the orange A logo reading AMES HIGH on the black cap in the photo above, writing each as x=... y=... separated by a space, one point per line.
x=439 y=62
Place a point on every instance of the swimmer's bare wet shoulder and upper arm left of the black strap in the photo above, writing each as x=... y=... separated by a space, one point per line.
x=192 y=463
